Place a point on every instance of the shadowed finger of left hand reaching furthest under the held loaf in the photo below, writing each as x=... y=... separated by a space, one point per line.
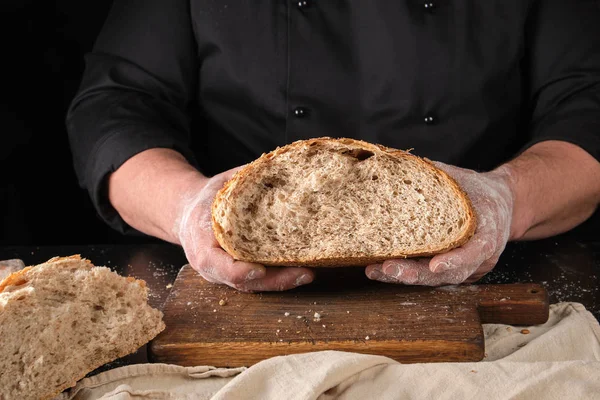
x=278 y=279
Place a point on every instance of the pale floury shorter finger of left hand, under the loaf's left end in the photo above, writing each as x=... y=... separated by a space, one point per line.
x=218 y=266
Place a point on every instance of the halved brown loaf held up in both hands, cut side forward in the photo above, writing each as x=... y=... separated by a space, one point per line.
x=339 y=202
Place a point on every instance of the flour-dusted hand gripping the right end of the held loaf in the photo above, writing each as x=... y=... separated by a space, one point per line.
x=492 y=199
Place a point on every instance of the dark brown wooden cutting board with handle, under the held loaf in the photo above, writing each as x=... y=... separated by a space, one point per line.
x=208 y=324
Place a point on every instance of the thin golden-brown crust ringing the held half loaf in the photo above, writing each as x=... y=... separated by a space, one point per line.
x=229 y=190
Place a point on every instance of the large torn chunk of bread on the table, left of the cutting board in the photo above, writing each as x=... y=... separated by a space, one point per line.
x=64 y=318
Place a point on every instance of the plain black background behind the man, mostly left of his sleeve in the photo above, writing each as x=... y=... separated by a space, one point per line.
x=43 y=44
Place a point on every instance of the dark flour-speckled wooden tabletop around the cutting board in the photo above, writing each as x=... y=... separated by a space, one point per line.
x=568 y=265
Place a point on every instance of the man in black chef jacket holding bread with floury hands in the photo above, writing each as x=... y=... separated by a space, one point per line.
x=506 y=93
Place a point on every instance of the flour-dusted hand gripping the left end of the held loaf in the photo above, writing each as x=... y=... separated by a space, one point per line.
x=194 y=230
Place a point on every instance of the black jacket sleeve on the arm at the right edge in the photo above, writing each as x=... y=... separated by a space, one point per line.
x=563 y=63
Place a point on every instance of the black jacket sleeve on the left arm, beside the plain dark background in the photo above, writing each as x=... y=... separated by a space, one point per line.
x=138 y=81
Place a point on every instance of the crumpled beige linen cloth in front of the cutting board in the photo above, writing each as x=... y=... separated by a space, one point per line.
x=557 y=360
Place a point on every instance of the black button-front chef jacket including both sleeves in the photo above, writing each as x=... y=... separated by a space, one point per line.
x=467 y=82
